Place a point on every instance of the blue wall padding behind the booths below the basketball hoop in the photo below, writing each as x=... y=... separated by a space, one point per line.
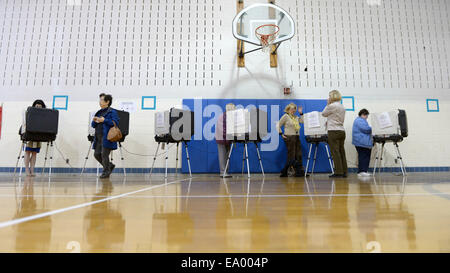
x=204 y=156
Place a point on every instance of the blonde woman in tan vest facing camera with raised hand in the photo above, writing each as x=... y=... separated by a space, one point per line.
x=291 y=137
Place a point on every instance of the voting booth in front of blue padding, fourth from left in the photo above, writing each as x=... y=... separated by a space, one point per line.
x=244 y=126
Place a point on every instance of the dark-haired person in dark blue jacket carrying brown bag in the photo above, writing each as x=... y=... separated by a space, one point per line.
x=103 y=121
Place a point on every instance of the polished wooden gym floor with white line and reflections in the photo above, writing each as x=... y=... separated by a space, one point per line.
x=208 y=214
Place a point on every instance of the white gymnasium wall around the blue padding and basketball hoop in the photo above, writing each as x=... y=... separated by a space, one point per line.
x=384 y=54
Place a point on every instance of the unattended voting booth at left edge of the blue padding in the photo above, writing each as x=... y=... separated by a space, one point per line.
x=173 y=126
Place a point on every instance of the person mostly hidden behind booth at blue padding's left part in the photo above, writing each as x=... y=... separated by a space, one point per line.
x=223 y=145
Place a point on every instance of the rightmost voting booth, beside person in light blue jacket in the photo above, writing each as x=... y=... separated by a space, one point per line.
x=390 y=127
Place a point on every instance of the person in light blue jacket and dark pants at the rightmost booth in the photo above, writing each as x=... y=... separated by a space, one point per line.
x=362 y=139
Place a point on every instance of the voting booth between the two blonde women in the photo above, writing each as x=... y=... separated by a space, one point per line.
x=316 y=133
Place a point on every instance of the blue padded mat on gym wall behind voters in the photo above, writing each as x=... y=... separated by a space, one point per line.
x=203 y=153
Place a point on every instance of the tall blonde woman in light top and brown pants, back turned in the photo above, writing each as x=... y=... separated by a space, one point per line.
x=335 y=114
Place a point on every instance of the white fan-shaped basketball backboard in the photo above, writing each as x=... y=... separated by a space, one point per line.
x=250 y=18
